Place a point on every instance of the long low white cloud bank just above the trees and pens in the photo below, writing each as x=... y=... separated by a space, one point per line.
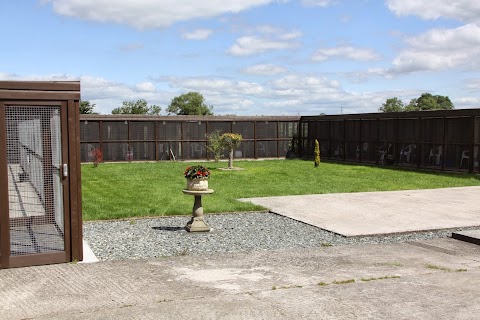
x=291 y=94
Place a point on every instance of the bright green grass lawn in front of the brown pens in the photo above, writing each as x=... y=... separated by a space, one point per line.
x=120 y=190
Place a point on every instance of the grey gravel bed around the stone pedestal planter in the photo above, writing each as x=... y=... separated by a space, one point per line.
x=236 y=232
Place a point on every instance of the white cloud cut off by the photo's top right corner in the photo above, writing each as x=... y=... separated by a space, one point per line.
x=463 y=10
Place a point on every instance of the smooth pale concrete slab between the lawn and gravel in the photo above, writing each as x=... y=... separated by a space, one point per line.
x=377 y=213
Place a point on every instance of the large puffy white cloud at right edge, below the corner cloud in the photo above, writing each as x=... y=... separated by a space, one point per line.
x=440 y=49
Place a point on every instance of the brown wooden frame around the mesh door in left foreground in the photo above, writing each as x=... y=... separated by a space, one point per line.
x=66 y=95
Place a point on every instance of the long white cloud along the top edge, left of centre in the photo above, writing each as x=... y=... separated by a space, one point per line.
x=143 y=14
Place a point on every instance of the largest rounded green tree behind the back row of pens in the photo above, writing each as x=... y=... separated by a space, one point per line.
x=191 y=103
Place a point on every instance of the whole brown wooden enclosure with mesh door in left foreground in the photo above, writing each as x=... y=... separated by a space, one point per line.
x=40 y=196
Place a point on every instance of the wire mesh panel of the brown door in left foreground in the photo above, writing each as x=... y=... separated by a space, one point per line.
x=34 y=182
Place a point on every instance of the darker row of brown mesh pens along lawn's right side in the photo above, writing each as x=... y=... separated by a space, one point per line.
x=444 y=139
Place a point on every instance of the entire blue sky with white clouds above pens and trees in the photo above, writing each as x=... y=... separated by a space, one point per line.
x=250 y=57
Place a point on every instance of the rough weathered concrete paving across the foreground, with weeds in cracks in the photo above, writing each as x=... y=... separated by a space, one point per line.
x=431 y=279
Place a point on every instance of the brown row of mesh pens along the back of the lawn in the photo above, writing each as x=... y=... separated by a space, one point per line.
x=140 y=138
